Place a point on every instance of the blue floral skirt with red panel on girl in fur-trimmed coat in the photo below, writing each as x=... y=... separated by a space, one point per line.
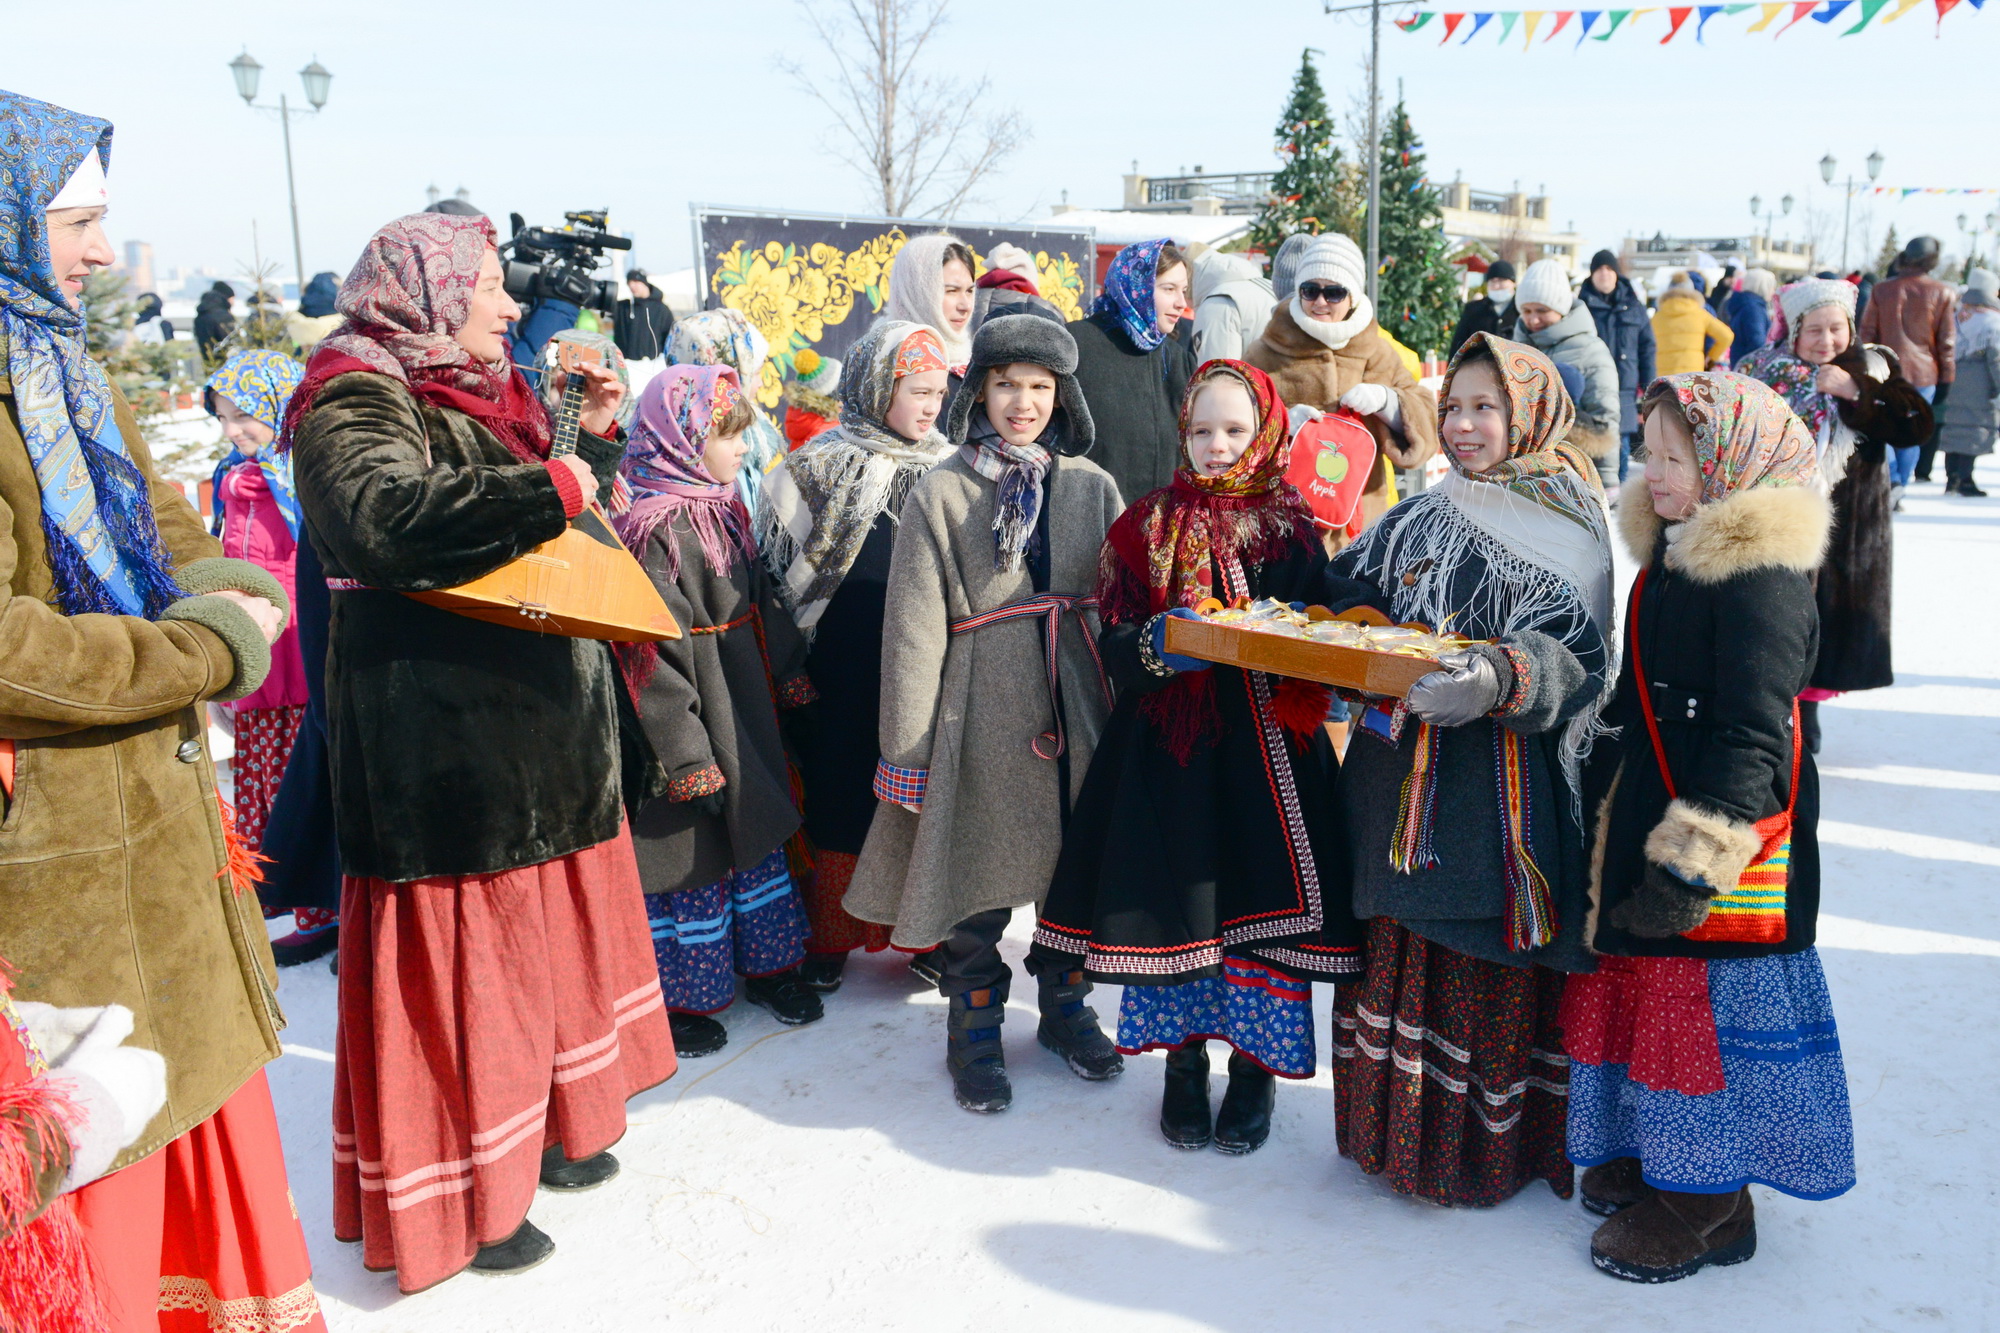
x=1781 y=1116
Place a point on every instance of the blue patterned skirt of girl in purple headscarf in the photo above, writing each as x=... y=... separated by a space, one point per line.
x=749 y=924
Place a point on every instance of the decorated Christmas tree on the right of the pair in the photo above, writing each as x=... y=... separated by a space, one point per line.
x=1419 y=289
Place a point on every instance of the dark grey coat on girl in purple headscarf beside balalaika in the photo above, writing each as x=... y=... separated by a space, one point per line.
x=711 y=714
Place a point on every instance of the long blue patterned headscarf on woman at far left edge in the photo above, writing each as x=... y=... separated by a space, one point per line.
x=97 y=513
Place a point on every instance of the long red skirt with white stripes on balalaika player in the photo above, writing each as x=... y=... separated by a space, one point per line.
x=485 y=1018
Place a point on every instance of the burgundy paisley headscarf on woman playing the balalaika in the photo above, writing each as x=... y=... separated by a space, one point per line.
x=403 y=301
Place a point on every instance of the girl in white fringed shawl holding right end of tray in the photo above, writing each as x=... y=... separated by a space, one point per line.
x=1465 y=802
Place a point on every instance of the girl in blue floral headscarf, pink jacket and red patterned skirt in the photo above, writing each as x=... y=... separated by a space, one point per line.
x=257 y=519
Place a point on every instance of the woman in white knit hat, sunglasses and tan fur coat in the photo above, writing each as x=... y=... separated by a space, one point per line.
x=1325 y=351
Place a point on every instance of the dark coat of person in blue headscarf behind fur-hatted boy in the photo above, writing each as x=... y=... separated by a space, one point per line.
x=1135 y=401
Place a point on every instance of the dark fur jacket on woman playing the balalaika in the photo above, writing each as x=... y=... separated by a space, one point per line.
x=457 y=748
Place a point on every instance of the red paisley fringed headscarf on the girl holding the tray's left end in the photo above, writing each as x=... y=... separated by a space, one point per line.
x=1165 y=553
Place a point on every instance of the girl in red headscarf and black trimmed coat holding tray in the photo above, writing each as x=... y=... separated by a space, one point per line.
x=1203 y=868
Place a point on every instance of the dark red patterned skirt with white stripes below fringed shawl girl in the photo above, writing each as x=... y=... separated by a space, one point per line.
x=1449 y=1074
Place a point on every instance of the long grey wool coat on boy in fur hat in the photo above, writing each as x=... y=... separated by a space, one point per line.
x=971 y=708
